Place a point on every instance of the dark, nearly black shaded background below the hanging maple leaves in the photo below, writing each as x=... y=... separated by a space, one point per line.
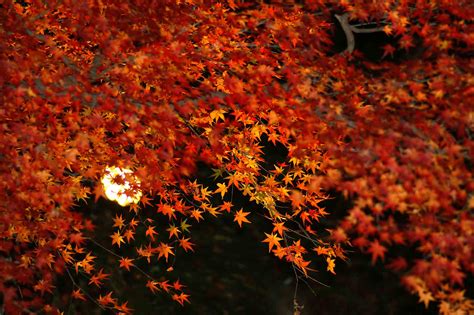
x=231 y=272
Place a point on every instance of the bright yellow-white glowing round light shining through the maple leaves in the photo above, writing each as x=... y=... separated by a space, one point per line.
x=117 y=187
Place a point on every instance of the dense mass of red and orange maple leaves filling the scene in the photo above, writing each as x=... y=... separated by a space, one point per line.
x=158 y=86
